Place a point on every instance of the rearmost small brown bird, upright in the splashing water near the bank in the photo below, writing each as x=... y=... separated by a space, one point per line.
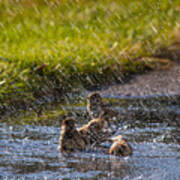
x=96 y=106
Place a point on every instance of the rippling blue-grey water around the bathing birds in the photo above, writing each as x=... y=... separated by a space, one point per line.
x=30 y=152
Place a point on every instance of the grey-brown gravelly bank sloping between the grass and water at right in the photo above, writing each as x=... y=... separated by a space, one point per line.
x=164 y=82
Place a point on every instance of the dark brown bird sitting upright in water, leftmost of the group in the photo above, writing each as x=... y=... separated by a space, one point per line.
x=70 y=139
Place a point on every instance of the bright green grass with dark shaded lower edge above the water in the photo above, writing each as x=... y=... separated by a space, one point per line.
x=49 y=46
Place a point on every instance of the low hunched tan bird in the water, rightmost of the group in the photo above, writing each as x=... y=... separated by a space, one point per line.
x=120 y=147
